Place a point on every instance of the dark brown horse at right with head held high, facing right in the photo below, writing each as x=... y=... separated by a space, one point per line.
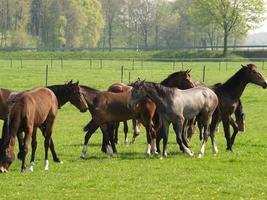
x=229 y=94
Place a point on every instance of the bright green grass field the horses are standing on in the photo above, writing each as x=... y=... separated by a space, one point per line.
x=240 y=174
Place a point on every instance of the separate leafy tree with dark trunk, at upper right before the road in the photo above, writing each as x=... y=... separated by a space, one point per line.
x=229 y=14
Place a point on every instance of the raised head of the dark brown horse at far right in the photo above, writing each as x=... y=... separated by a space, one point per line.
x=253 y=75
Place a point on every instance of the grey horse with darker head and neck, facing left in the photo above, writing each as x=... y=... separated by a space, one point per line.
x=175 y=106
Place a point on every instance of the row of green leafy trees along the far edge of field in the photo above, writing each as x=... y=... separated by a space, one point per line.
x=127 y=23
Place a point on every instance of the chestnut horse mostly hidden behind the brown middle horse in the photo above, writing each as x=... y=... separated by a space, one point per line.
x=116 y=88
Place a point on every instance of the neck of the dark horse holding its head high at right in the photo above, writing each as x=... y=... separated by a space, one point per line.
x=235 y=86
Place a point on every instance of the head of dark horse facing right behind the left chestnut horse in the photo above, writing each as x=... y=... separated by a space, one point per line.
x=76 y=96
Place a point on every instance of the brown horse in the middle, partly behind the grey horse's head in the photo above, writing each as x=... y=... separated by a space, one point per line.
x=107 y=108
